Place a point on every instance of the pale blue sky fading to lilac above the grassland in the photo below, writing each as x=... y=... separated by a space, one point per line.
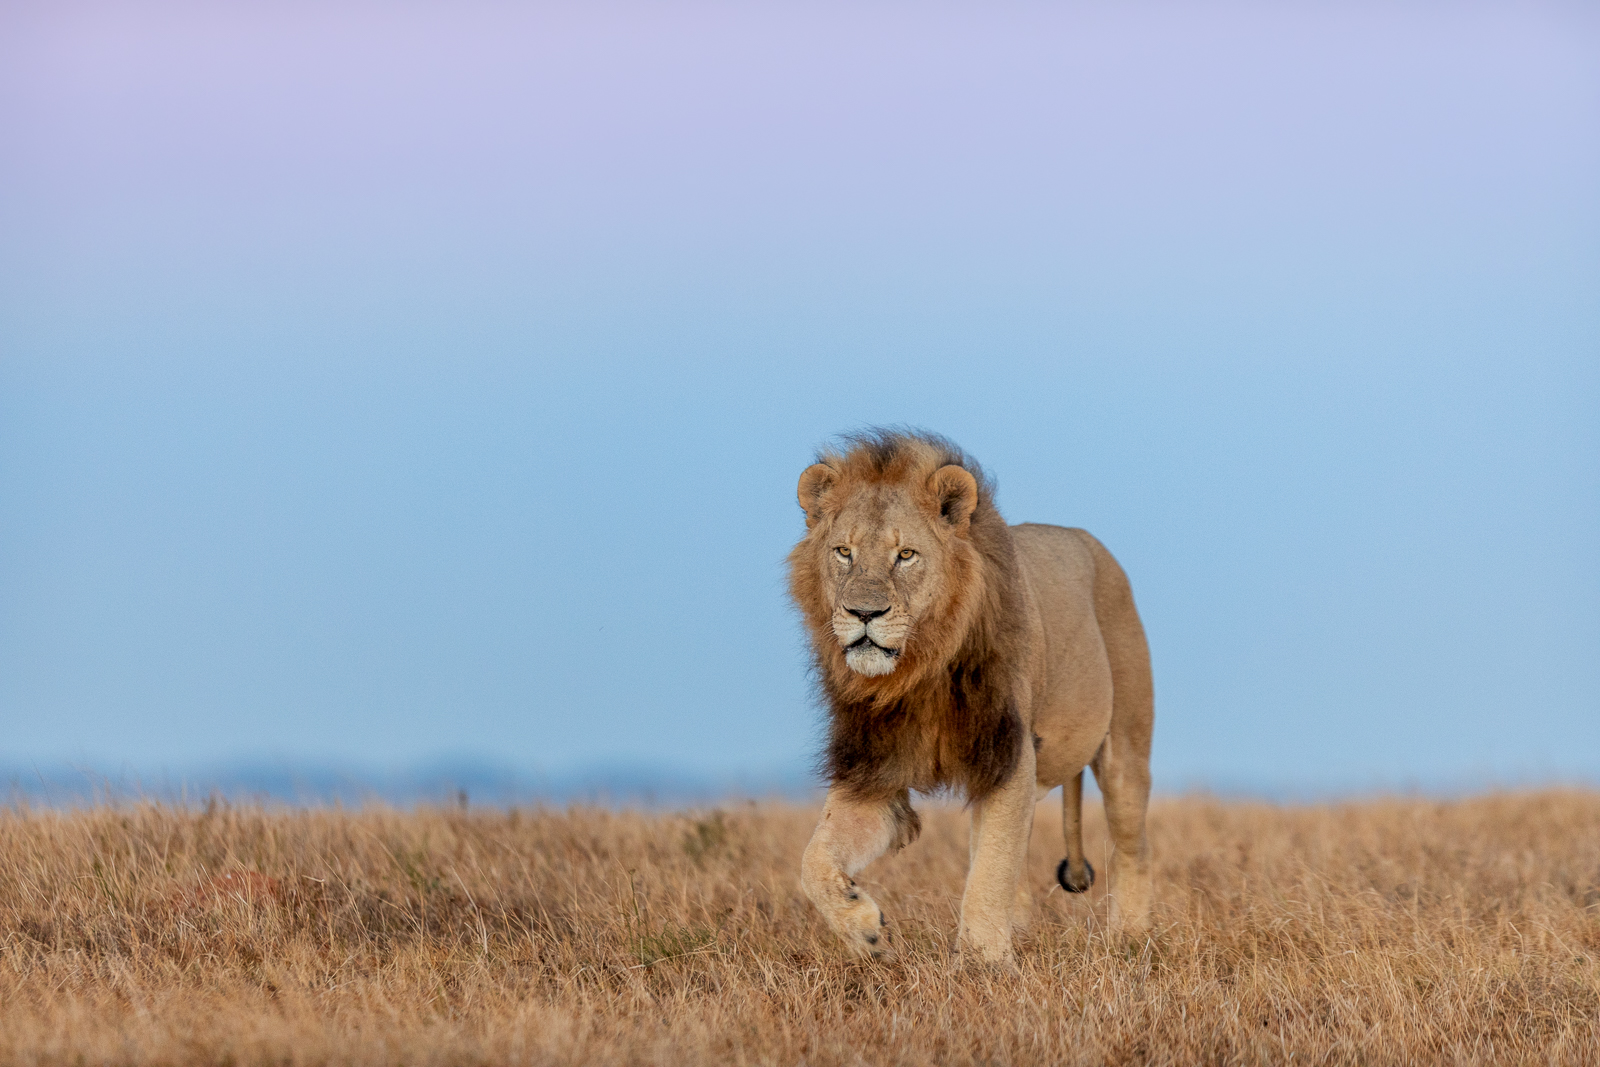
x=396 y=383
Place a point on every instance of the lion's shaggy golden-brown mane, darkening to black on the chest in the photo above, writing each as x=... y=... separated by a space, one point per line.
x=946 y=717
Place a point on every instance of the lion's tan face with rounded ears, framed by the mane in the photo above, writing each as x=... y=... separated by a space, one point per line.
x=881 y=557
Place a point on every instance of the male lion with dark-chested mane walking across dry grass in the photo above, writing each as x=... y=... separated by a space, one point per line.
x=961 y=653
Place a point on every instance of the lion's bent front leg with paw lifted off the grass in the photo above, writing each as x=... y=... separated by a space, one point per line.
x=850 y=836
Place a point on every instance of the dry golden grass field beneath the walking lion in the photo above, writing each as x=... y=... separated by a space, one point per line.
x=1385 y=932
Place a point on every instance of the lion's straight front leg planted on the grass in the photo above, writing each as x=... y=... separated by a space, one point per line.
x=1002 y=825
